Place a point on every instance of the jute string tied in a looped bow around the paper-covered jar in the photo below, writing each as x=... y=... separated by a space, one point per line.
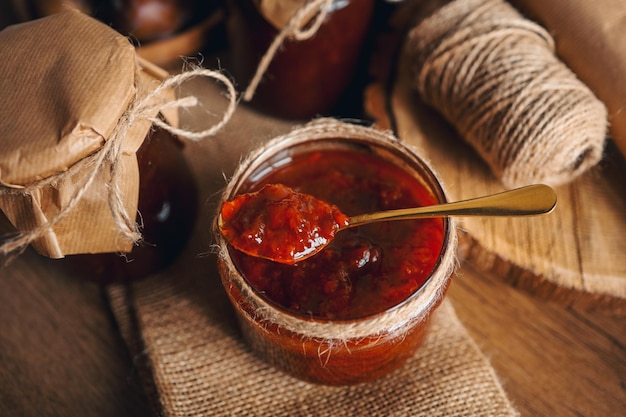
x=145 y=103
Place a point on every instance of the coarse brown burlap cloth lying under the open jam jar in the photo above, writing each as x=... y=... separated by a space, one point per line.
x=187 y=348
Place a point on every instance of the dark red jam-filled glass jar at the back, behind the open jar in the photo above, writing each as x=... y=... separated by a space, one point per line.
x=305 y=78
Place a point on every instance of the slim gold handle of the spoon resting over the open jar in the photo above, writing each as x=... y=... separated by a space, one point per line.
x=525 y=201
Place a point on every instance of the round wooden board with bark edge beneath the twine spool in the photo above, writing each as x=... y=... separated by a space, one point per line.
x=576 y=255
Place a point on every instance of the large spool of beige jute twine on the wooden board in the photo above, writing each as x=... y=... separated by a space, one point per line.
x=493 y=74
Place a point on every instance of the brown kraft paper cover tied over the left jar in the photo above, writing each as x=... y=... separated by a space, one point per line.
x=65 y=81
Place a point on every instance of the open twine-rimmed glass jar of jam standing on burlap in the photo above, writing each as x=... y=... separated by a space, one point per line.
x=339 y=348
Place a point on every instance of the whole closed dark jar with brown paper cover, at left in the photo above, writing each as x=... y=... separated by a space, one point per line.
x=82 y=162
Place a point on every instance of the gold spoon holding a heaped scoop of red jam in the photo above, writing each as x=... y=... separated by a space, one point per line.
x=525 y=201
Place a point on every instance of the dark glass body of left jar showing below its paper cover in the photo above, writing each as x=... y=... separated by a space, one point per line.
x=167 y=210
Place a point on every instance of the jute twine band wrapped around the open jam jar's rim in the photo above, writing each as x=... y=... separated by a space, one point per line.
x=415 y=309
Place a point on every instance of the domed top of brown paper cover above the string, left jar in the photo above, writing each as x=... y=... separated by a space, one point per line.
x=65 y=82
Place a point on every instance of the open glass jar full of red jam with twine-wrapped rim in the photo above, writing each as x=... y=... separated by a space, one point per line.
x=360 y=308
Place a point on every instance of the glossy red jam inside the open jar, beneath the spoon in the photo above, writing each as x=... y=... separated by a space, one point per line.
x=365 y=270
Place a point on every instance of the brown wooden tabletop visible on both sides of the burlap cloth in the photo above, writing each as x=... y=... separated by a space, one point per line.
x=61 y=353
